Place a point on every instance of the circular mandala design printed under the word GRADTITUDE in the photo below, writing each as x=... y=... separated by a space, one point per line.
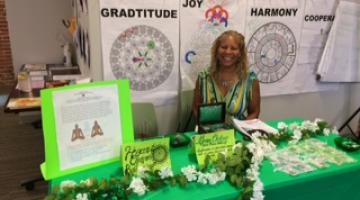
x=144 y=55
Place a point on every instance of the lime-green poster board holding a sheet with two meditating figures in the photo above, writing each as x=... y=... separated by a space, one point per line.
x=102 y=113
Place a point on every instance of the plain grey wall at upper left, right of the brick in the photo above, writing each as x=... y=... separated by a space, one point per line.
x=36 y=30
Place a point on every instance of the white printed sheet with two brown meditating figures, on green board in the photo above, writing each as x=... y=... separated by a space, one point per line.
x=87 y=125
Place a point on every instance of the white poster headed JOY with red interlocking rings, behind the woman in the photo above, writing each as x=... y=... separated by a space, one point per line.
x=201 y=22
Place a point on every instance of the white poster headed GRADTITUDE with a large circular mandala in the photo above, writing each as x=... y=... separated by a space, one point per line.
x=140 y=42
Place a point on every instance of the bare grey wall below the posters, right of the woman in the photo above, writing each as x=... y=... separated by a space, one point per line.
x=333 y=106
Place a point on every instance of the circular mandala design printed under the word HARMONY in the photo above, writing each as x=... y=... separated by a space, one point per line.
x=272 y=51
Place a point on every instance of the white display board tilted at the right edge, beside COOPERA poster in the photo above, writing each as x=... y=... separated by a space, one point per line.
x=340 y=60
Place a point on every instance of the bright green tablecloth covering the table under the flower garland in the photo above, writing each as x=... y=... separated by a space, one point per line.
x=335 y=182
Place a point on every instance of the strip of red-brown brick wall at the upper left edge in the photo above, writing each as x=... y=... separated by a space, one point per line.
x=6 y=66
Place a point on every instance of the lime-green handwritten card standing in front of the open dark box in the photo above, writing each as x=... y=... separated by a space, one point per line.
x=211 y=144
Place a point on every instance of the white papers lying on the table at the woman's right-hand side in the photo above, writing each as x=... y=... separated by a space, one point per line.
x=248 y=127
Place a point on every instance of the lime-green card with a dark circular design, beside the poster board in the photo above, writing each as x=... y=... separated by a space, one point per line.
x=152 y=154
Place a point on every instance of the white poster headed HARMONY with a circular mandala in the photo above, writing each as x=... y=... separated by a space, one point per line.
x=273 y=32
